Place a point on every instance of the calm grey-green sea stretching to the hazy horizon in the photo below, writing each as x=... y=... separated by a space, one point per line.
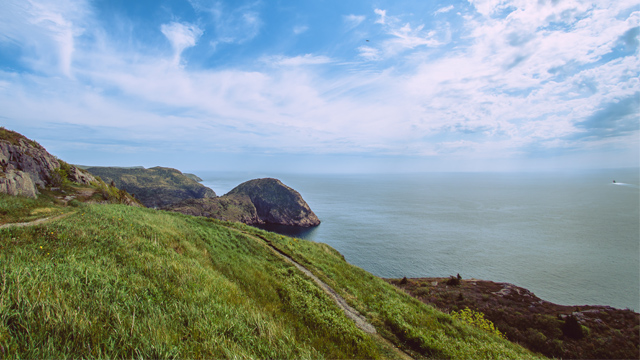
x=571 y=238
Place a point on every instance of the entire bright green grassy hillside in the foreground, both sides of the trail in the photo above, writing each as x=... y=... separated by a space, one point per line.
x=119 y=281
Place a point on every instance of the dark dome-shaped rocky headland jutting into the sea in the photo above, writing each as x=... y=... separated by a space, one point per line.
x=277 y=203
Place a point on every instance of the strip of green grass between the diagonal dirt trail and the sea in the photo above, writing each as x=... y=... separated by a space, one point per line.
x=411 y=325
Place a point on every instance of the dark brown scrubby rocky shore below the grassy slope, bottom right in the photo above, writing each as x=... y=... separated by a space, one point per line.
x=560 y=331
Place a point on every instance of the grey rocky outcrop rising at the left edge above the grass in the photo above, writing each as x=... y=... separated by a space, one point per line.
x=25 y=165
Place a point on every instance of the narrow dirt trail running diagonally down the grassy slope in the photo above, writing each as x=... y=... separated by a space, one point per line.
x=353 y=314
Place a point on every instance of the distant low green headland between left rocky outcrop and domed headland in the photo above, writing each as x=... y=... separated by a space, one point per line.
x=154 y=187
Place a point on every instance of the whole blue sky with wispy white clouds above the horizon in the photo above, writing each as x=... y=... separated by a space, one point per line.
x=325 y=85
